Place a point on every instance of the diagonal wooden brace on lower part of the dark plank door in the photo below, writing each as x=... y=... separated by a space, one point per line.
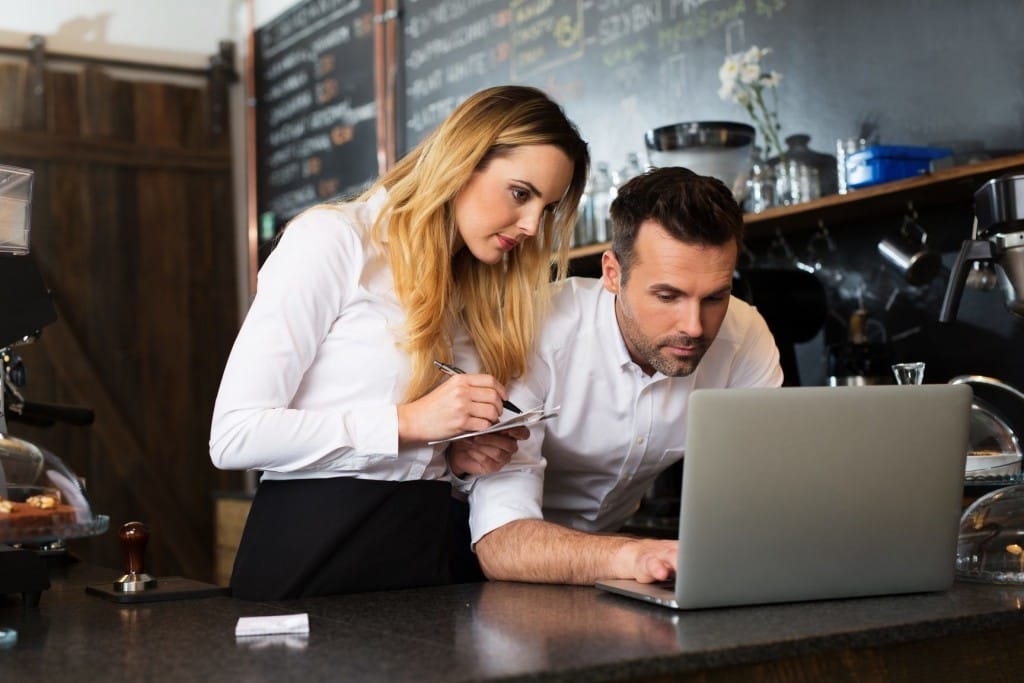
x=122 y=449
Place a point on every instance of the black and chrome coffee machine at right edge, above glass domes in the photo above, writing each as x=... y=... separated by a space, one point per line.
x=997 y=244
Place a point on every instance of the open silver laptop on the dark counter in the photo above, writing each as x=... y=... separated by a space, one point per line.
x=815 y=493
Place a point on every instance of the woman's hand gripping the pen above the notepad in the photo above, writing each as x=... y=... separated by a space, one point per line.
x=461 y=404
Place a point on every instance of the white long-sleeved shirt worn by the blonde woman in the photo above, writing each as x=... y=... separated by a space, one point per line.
x=314 y=381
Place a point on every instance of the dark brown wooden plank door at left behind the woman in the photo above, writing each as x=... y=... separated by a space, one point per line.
x=134 y=232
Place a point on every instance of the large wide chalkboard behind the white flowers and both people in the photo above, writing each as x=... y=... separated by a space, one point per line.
x=623 y=67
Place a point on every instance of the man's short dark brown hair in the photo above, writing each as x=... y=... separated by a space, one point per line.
x=695 y=209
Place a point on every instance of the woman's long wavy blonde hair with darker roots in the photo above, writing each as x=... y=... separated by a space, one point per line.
x=500 y=305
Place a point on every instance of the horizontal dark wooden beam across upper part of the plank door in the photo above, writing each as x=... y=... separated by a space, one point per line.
x=25 y=145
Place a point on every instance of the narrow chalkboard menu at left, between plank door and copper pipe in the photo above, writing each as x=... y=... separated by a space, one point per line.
x=316 y=120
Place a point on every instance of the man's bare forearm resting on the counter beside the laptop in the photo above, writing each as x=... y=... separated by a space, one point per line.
x=533 y=550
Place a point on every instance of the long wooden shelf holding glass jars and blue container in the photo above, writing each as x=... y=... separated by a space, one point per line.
x=950 y=186
